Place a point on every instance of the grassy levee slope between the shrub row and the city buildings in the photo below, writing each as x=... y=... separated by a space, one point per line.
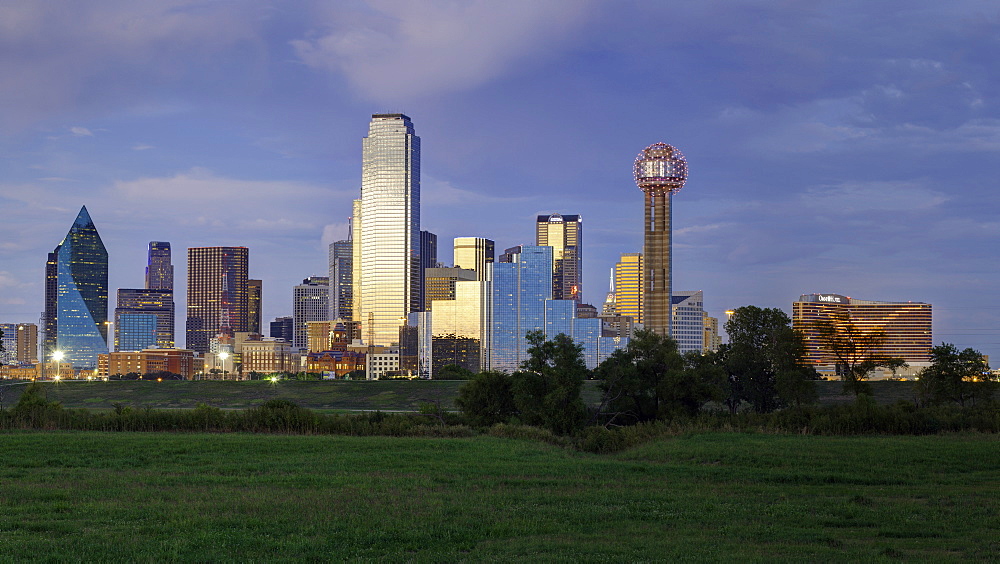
x=388 y=395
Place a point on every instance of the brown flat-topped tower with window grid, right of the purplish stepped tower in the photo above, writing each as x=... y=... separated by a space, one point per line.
x=217 y=294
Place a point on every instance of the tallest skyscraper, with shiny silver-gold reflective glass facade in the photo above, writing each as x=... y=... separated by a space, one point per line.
x=387 y=228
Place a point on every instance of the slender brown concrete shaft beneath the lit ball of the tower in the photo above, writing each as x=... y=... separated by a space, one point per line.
x=656 y=258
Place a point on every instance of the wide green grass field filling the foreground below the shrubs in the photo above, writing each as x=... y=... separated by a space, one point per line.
x=92 y=496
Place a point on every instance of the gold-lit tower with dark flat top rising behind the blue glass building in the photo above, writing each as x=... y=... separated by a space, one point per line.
x=564 y=233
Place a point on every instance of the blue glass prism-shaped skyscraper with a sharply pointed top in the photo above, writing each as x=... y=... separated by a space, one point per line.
x=76 y=296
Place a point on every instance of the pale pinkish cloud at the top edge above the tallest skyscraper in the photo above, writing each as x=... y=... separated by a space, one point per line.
x=416 y=49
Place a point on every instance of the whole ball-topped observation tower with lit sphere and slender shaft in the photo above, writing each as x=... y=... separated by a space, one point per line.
x=660 y=172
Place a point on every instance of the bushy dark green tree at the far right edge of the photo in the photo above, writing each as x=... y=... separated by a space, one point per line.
x=956 y=376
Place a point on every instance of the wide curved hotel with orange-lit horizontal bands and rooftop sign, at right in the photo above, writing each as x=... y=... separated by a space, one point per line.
x=907 y=325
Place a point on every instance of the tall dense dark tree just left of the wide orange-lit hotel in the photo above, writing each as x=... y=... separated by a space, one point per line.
x=763 y=359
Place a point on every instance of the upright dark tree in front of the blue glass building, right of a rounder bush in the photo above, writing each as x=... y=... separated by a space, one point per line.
x=547 y=388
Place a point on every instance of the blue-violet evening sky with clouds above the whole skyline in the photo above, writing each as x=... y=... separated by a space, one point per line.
x=848 y=147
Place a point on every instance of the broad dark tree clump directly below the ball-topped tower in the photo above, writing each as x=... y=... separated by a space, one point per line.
x=650 y=380
